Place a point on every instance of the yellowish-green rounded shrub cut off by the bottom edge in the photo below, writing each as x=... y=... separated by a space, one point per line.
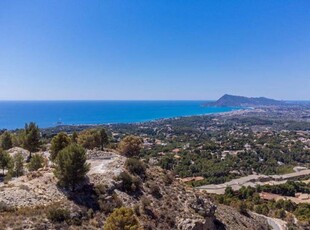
x=122 y=219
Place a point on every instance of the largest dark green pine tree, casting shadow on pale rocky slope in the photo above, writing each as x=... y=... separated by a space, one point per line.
x=71 y=166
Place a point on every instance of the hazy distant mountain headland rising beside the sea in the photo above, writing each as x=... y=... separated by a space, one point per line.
x=232 y=101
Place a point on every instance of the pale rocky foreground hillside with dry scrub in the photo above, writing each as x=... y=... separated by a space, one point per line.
x=160 y=202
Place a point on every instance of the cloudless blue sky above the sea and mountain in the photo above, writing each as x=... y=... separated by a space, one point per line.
x=154 y=49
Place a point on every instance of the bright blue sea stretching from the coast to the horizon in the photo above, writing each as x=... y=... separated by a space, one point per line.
x=14 y=114
